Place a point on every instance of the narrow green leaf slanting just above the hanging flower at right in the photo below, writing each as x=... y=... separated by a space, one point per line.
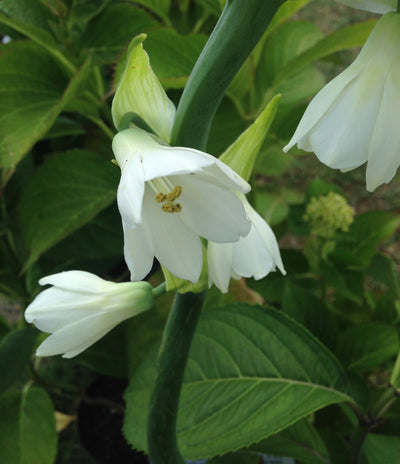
x=350 y=36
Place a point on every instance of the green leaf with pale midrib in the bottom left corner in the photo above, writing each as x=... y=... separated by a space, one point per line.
x=27 y=428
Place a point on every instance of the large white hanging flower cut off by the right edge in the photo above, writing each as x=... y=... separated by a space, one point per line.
x=354 y=118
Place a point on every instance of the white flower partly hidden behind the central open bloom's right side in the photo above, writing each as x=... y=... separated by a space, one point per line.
x=253 y=256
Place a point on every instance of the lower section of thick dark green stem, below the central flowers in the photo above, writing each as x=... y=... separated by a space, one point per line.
x=175 y=345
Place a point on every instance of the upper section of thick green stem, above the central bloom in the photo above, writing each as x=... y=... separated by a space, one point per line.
x=238 y=30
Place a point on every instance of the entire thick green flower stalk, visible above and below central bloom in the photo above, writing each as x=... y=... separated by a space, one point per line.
x=238 y=30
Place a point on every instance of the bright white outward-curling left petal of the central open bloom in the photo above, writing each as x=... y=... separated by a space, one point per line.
x=130 y=191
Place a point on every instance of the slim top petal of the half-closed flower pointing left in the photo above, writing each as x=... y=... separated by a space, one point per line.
x=77 y=281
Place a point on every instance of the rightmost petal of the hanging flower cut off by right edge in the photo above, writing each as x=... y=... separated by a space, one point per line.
x=384 y=151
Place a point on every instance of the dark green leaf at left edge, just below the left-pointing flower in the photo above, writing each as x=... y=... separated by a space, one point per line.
x=15 y=352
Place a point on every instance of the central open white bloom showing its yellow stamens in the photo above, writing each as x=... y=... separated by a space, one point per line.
x=168 y=197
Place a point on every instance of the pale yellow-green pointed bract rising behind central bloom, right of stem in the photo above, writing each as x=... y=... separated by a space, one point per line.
x=242 y=154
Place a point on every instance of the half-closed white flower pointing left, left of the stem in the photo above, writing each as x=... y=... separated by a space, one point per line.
x=81 y=308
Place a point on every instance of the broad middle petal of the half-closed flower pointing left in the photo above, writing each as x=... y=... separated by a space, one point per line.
x=57 y=307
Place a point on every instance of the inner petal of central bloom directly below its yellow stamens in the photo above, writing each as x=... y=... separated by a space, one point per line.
x=175 y=246
